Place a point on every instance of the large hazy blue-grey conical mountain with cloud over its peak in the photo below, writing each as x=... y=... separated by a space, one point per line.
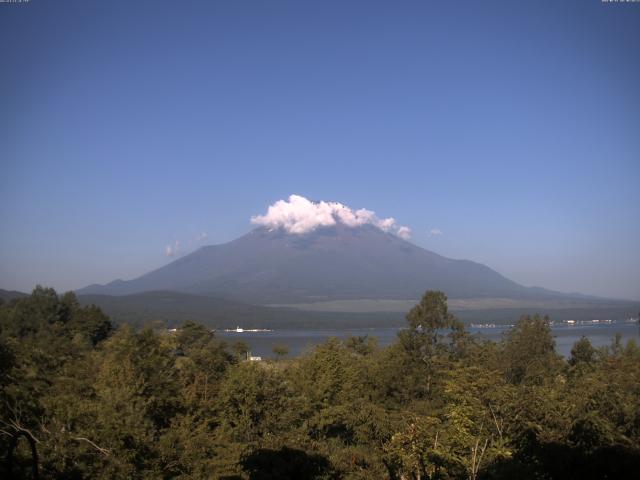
x=271 y=266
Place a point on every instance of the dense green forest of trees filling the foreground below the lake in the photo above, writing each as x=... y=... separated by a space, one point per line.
x=83 y=398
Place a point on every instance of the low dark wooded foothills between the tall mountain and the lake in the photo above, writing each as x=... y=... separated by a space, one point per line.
x=173 y=308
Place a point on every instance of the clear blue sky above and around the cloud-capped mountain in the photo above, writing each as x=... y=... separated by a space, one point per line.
x=513 y=128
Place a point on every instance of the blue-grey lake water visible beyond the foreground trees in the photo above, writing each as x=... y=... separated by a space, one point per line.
x=261 y=343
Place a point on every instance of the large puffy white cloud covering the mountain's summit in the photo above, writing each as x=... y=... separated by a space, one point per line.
x=299 y=215
